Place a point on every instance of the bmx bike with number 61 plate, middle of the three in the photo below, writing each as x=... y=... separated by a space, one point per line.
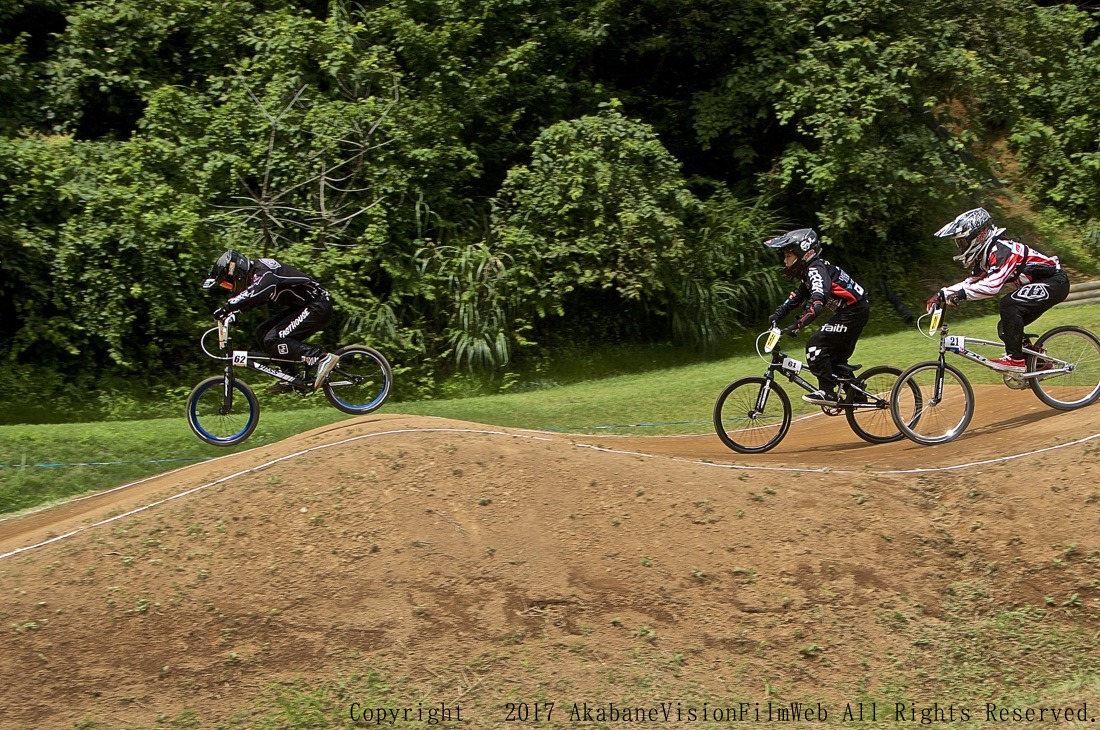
x=754 y=414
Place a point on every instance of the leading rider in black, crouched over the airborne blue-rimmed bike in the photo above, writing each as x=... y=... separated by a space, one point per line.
x=306 y=308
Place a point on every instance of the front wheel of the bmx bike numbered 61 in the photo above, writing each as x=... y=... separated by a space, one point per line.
x=753 y=415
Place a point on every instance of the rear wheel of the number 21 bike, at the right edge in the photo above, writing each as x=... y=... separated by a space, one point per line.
x=1074 y=347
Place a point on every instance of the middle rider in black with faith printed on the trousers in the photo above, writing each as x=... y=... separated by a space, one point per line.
x=823 y=286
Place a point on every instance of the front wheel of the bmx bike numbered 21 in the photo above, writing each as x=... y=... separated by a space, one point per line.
x=926 y=418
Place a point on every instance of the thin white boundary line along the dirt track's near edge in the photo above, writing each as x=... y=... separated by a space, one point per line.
x=513 y=436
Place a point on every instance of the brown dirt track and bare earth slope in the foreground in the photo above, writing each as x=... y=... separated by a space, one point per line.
x=433 y=566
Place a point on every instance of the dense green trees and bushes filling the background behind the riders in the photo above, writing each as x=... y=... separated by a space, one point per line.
x=478 y=179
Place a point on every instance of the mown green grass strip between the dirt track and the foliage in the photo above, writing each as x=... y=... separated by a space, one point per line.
x=665 y=401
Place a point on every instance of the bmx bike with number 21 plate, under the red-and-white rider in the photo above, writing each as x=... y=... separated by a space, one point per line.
x=1063 y=370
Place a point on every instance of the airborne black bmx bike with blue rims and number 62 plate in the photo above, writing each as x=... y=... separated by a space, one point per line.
x=223 y=411
